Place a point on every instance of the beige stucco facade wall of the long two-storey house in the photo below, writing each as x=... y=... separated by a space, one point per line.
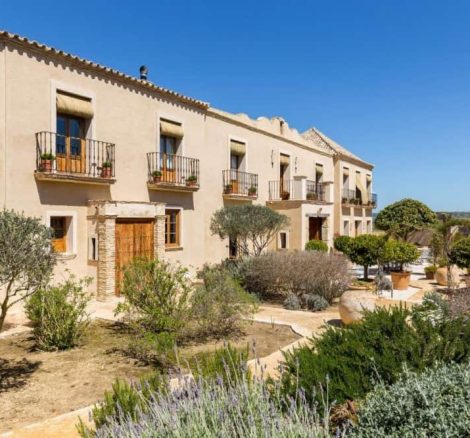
x=129 y=117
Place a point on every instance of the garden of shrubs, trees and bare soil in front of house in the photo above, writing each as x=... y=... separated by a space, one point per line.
x=178 y=359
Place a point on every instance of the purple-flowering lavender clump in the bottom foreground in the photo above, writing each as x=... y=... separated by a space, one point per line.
x=213 y=409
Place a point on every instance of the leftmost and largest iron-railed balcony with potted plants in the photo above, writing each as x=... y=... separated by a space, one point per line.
x=73 y=159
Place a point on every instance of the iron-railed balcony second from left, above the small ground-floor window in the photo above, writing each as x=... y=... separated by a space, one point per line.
x=172 y=172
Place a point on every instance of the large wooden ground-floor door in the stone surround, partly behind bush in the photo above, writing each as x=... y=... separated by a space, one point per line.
x=134 y=239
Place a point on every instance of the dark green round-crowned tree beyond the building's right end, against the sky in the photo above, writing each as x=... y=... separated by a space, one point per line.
x=404 y=217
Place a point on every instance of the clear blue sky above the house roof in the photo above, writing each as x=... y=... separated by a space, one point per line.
x=390 y=80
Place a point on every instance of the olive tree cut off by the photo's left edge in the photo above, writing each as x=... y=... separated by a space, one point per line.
x=26 y=258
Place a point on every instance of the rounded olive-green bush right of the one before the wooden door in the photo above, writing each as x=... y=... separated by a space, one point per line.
x=220 y=303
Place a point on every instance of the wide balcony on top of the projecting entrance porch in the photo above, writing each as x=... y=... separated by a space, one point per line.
x=297 y=190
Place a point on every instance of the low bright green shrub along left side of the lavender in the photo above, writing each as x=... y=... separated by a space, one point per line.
x=124 y=401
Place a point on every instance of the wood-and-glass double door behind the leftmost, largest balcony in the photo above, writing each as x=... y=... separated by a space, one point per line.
x=70 y=144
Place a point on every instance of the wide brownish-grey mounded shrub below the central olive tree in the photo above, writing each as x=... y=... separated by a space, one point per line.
x=297 y=272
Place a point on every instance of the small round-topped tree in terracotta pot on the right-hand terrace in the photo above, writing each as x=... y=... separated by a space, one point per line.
x=397 y=255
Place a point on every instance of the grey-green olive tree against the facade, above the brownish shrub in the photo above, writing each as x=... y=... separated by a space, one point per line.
x=253 y=227
